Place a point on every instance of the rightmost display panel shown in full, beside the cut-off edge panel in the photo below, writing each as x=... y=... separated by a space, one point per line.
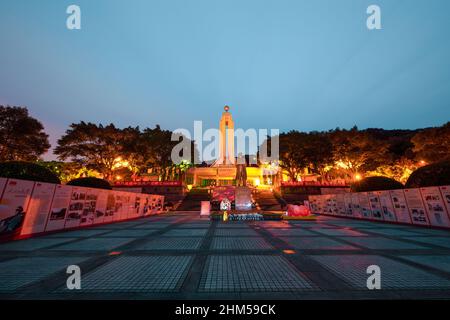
x=435 y=207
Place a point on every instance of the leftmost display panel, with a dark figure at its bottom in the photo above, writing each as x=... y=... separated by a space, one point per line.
x=14 y=205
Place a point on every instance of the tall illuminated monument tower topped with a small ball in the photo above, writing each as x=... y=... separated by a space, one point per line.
x=226 y=140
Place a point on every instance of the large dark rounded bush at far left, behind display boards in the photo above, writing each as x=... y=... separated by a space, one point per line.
x=27 y=171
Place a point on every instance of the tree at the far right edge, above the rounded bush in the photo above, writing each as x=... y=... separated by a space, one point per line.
x=433 y=144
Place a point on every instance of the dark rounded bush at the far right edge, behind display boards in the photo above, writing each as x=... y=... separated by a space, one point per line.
x=436 y=174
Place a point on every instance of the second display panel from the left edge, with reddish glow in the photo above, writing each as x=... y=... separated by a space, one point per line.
x=38 y=208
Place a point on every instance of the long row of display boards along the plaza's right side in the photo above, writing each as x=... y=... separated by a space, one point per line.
x=422 y=206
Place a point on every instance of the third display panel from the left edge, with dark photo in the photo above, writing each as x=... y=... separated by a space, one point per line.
x=59 y=208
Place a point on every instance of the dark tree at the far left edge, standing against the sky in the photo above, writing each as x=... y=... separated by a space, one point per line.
x=22 y=137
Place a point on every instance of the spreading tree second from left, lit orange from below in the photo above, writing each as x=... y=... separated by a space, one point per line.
x=95 y=146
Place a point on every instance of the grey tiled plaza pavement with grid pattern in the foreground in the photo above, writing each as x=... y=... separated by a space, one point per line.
x=180 y=256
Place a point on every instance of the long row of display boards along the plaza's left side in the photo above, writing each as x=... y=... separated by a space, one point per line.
x=28 y=207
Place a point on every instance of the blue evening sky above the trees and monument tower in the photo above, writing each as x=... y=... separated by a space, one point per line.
x=286 y=64
